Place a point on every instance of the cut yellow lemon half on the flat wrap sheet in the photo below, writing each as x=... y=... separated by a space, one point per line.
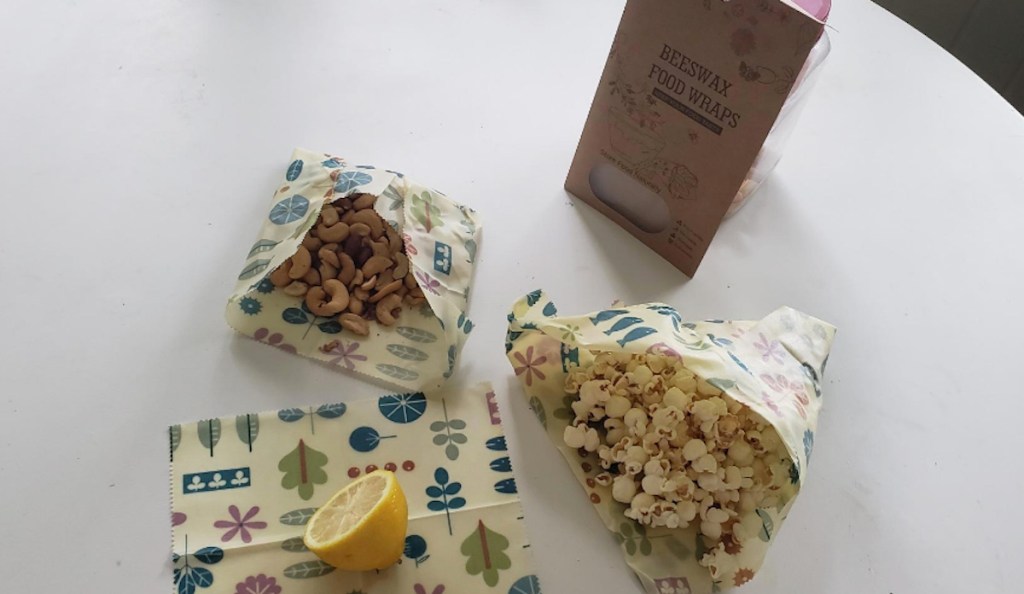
x=363 y=527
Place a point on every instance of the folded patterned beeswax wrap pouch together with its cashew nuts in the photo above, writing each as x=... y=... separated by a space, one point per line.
x=361 y=269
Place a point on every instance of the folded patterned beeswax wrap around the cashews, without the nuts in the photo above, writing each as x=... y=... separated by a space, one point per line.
x=441 y=238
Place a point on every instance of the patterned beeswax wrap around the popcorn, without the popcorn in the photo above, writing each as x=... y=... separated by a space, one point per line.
x=774 y=366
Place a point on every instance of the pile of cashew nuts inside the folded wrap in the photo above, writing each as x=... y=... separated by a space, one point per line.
x=352 y=265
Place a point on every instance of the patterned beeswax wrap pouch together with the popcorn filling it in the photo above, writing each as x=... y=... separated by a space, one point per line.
x=692 y=439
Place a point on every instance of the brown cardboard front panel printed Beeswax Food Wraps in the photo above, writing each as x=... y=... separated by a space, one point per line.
x=690 y=93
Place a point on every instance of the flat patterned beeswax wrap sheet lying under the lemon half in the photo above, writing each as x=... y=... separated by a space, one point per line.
x=244 y=487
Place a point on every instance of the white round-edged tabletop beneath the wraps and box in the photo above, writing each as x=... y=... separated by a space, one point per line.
x=140 y=145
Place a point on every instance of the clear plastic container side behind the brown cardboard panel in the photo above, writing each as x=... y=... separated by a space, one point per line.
x=772 y=152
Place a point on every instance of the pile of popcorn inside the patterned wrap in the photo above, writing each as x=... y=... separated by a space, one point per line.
x=675 y=449
